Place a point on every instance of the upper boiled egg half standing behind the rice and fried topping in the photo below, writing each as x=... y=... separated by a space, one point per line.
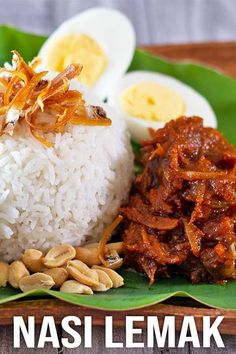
x=101 y=39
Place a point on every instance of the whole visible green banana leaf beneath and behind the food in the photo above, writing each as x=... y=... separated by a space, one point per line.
x=220 y=91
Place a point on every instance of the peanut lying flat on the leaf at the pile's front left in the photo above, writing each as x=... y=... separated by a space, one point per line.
x=36 y=281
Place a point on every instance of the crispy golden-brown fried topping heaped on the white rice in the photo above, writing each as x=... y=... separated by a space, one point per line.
x=46 y=106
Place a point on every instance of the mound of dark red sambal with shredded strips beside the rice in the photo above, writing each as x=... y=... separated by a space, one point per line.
x=181 y=217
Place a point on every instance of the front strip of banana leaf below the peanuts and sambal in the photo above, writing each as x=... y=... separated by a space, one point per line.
x=137 y=294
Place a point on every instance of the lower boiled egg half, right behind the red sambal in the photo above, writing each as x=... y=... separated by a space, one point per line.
x=149 y=100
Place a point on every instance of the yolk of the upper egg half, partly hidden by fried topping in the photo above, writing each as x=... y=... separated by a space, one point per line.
x=78 y=49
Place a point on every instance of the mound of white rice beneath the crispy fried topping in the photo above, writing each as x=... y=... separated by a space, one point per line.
x=65 y=194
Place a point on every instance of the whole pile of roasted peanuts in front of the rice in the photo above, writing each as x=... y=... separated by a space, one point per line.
x=75 y=270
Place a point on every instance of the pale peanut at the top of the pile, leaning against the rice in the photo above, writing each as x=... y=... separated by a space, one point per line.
x=59 y=255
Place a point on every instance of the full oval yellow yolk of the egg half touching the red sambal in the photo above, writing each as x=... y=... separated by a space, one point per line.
x=152 y=101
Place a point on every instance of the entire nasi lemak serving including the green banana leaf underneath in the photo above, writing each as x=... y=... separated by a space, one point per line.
x=118 y=171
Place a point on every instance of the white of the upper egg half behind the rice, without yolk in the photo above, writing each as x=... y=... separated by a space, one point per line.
x=112 y=30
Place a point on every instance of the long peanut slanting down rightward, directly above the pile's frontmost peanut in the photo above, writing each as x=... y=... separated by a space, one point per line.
x=82 y=273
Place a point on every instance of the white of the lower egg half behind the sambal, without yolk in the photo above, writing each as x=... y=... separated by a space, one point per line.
x=196 y=104
